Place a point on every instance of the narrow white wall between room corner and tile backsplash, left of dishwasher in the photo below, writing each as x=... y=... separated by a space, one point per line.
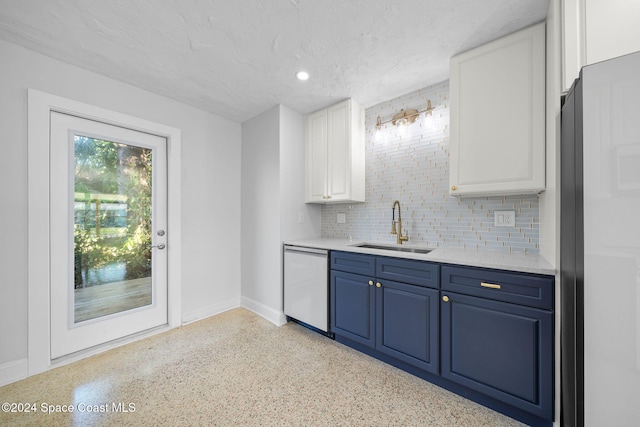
x=272 y=199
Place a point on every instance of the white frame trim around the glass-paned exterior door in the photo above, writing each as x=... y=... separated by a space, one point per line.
x=40 y=105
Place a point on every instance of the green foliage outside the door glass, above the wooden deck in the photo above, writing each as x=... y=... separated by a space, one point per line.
x=111 y=175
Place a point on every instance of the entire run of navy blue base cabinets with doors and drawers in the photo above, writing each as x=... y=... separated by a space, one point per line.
x=485 y=334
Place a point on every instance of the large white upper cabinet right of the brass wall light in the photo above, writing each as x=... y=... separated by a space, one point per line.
x=497 y=139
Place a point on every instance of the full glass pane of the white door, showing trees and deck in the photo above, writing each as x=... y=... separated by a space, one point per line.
x=112 y=227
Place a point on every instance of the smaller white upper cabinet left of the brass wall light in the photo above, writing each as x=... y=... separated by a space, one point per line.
x=335 y=154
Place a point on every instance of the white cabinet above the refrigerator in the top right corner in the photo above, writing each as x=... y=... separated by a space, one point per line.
x=597 y=30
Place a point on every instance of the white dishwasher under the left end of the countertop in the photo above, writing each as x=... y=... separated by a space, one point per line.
x=306 y=290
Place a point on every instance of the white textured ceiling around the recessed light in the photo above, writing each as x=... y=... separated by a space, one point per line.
x=237 y=59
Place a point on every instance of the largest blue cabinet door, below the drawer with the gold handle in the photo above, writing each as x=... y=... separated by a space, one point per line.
x=500 y=349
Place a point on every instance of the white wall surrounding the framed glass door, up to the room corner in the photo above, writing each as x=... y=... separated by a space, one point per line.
x=210 y=186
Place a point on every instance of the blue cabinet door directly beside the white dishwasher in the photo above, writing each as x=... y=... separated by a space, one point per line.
x=353 y=307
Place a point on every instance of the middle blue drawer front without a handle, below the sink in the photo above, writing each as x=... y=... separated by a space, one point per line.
x=419 y=273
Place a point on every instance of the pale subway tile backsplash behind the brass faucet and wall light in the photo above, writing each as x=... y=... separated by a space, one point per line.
x=415 y=170
